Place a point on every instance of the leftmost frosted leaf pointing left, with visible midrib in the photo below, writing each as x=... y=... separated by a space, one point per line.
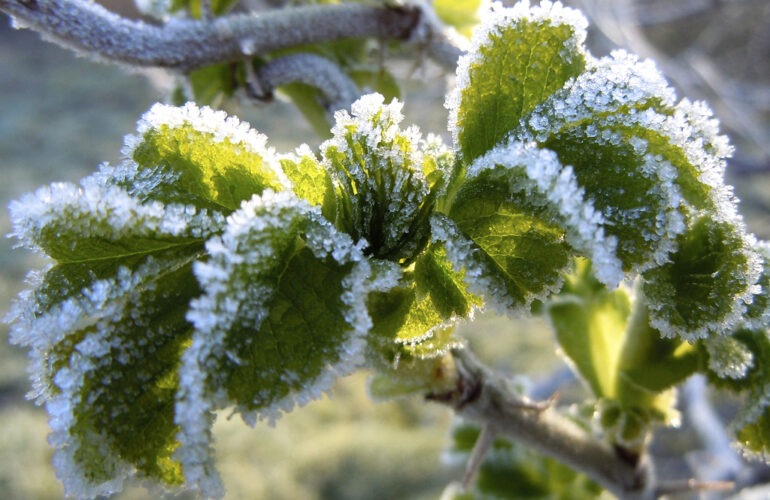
x=93 y=232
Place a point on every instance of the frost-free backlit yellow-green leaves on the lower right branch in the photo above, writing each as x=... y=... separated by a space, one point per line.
x=623 y=359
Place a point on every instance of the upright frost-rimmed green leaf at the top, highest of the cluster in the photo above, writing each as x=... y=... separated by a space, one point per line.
x=519 y=56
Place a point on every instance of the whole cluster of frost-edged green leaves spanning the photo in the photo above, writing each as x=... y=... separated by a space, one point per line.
x=206 y=271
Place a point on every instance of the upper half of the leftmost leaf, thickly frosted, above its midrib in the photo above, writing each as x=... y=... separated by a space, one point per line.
x=99 y=221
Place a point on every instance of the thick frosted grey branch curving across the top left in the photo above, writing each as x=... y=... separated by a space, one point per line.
x=189 y=44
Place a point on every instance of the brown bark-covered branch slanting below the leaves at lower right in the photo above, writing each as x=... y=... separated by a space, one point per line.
x=486 y=397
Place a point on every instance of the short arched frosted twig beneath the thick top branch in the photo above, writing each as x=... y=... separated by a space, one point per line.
x=337 y=87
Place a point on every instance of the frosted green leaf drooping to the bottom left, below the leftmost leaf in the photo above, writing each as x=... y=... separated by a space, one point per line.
x=114 y=381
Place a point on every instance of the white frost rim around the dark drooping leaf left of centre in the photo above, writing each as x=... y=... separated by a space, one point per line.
x=234 y=290
